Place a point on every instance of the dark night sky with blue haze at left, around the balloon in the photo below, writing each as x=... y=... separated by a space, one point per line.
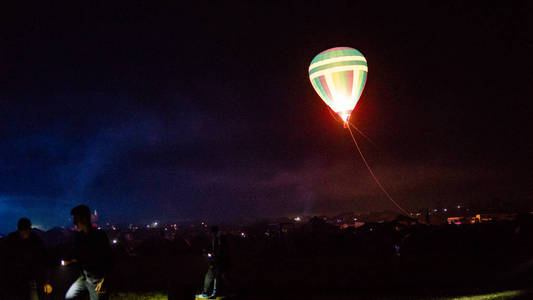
x=168 y=111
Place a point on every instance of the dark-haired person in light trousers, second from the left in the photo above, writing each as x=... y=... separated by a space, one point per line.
x=92 y=252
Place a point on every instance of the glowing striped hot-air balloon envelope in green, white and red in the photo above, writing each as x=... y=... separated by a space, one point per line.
x=338 y=76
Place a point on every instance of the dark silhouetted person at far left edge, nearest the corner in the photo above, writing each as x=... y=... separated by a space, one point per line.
x=25 y=262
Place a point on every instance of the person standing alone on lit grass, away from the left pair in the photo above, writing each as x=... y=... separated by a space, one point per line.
x=218 y=263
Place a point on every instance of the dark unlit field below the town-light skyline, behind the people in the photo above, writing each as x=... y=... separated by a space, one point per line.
x=322 y=262
